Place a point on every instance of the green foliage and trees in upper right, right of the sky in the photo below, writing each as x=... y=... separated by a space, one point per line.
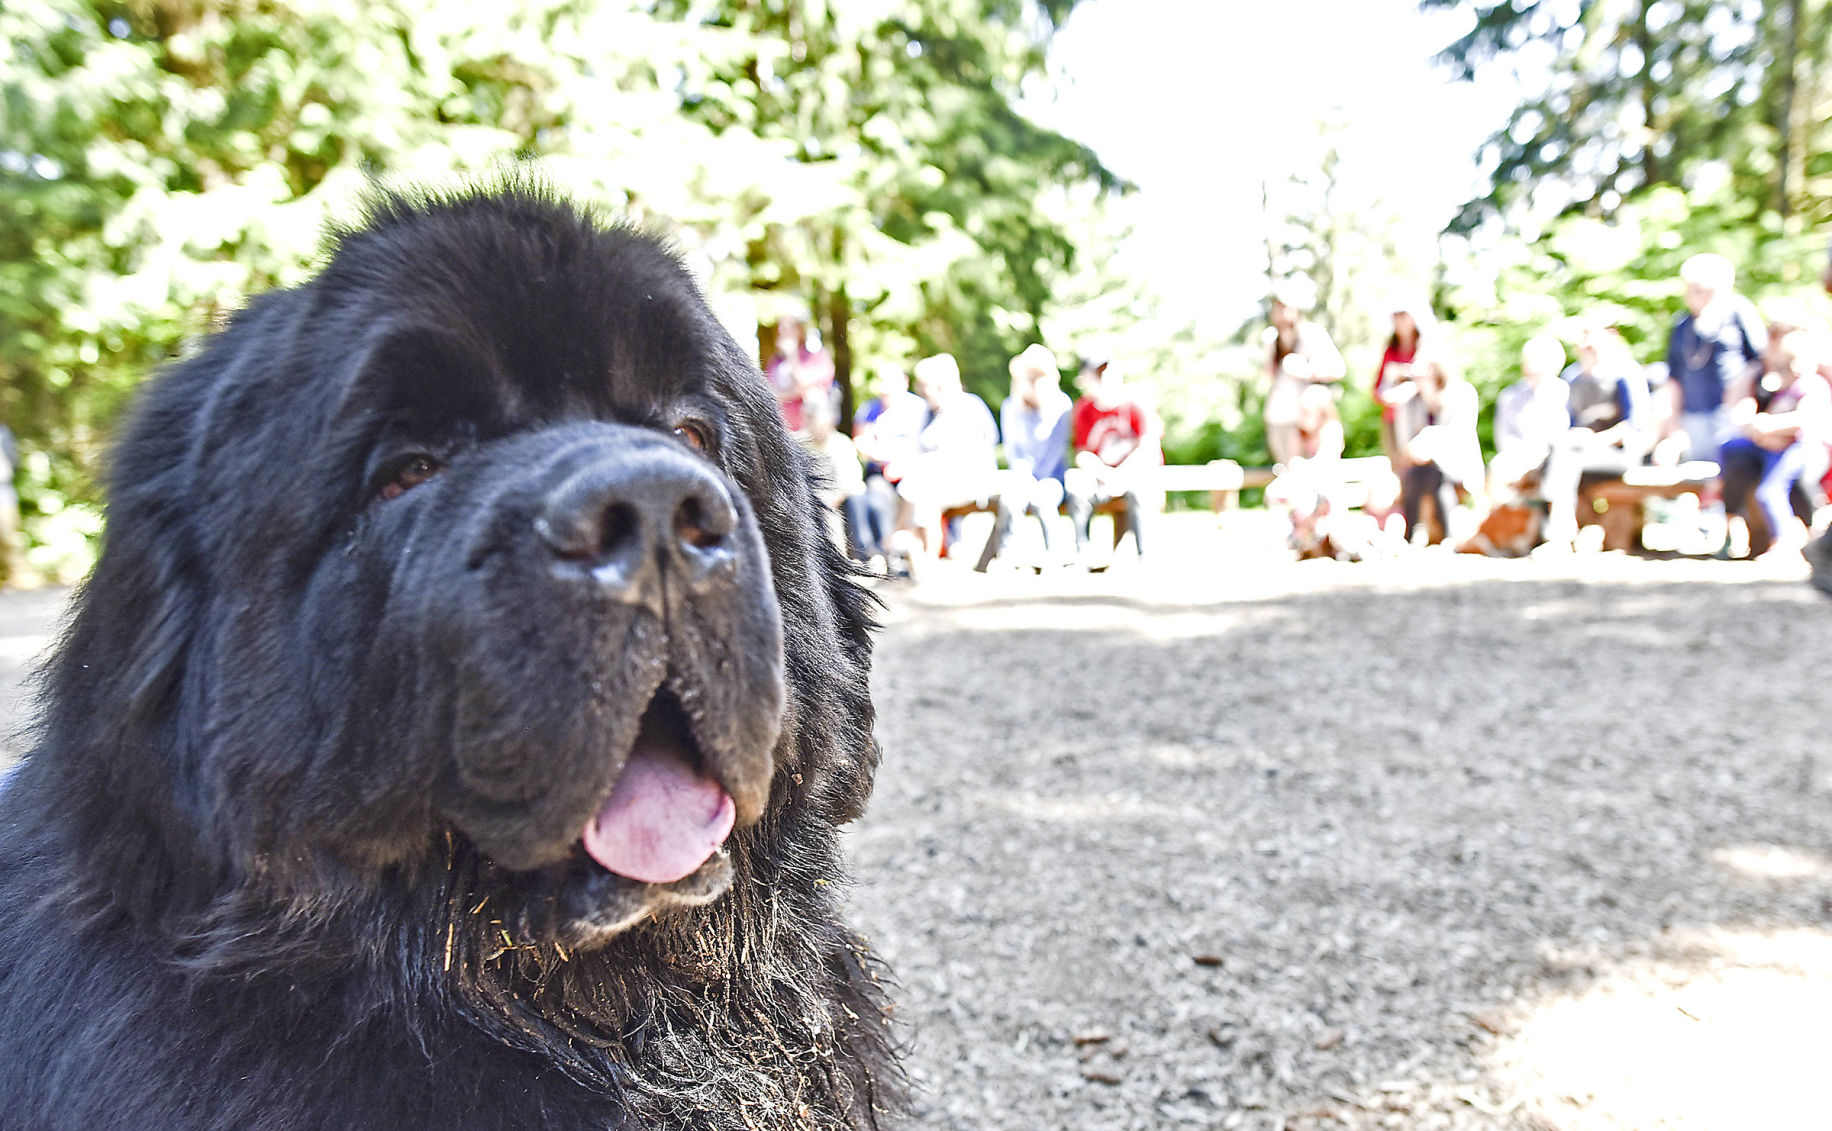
x=1663 y=129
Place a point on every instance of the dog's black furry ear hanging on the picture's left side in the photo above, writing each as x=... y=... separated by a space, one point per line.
x=114 y=749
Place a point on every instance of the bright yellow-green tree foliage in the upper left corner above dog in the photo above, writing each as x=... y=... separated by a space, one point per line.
x=160 y=160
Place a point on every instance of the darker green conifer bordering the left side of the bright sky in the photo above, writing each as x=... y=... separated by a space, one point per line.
x=941 y=239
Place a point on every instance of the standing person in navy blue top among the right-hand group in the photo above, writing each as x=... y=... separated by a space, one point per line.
x=1714 y=347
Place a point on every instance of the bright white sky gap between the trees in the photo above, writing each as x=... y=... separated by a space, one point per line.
x=1199 y=100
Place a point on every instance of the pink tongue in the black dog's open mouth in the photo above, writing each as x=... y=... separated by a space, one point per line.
x=664 y=818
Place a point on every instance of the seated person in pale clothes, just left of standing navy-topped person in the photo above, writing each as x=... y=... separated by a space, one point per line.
x=1611 y=426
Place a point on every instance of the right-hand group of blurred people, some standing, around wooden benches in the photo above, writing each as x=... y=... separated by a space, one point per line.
x=1739 y=410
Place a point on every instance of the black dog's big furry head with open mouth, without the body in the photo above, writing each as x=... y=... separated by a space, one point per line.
x=488 y=544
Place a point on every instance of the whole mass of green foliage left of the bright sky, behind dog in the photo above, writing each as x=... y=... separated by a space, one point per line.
x=164 y=159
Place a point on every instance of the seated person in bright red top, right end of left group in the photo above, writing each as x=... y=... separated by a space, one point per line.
x=1118 y=445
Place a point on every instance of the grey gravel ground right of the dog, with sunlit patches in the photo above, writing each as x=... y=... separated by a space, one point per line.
x=1360 y=857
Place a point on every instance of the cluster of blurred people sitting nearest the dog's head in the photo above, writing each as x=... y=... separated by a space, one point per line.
x=917 y=461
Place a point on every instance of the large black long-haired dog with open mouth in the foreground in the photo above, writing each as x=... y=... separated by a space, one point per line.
x=457 y=725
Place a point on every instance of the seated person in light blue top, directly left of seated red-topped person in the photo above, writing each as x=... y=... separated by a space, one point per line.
x=1034 y=426
